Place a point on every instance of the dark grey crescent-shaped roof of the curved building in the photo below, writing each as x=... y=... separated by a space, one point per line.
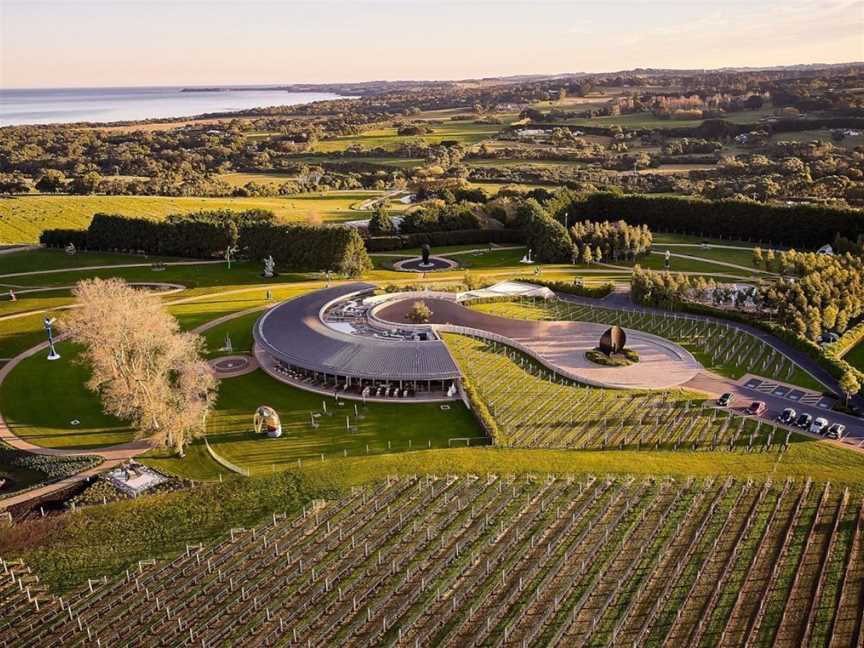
x=294 y=333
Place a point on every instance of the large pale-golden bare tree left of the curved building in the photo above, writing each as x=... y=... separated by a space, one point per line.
x=146 y=371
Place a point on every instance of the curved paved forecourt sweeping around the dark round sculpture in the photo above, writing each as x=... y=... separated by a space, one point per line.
x=562 y=345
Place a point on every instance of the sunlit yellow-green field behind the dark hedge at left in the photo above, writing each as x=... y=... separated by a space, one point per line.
x=23 y=218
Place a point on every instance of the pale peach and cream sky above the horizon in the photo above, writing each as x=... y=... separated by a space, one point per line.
x=87 y=43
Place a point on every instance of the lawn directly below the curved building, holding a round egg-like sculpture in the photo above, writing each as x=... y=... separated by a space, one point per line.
x=230 y=431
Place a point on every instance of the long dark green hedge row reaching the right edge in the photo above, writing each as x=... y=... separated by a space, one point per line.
x=803 y=226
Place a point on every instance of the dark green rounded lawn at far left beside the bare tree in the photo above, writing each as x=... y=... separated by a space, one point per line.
x=40 y=398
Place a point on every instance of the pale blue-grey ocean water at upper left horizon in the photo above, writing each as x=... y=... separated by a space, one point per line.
x=65 y=105
